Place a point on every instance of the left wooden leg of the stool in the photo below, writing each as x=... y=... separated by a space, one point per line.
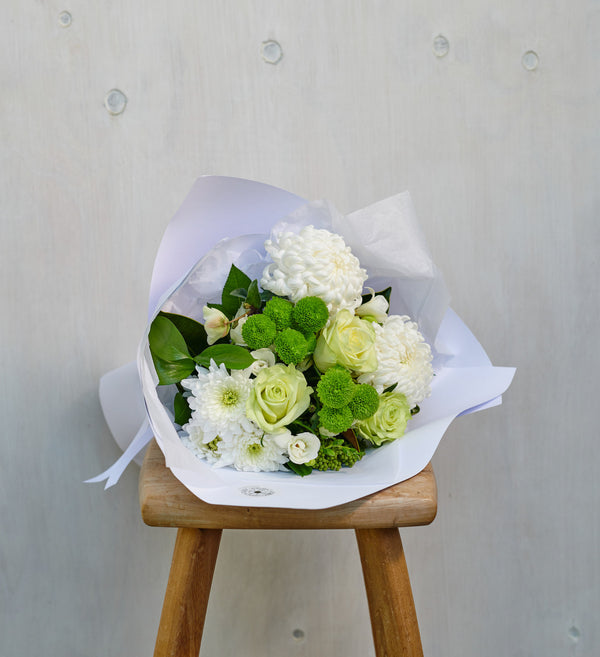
x=186 y=598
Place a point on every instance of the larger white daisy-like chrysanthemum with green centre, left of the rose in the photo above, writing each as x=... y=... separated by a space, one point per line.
x=218 y=402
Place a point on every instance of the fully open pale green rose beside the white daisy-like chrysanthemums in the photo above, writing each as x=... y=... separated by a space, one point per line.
x=279 y=396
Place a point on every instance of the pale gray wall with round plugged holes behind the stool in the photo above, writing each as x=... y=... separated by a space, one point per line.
x=502 y=163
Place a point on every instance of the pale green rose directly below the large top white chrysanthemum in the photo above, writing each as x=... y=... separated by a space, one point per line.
x=348 y=341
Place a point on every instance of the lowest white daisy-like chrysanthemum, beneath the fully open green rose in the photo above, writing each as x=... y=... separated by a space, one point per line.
x=252 y=452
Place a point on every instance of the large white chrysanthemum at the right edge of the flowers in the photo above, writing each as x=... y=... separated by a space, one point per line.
x=403 y=358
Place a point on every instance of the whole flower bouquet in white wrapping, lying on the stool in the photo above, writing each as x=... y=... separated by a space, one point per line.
x=313 y=344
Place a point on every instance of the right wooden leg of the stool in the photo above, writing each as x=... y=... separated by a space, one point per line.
x=391 y=606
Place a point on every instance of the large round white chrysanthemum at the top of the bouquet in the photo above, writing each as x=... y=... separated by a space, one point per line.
x=314 y=262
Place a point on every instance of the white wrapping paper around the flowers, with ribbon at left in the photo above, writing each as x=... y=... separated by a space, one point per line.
x=225 y=221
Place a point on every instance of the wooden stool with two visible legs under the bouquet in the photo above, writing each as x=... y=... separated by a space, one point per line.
x=165 y=502
